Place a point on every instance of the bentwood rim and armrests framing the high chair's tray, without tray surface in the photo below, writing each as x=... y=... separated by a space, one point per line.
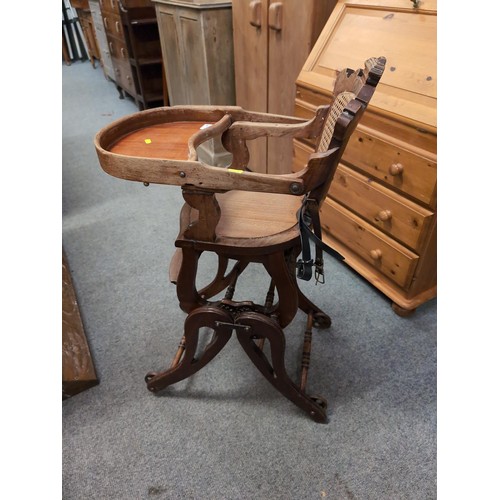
x=193 y=174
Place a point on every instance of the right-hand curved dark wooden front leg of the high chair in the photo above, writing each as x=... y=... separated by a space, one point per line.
x=261 y=326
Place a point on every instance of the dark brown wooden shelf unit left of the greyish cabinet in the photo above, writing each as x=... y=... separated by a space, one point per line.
x=134 y=45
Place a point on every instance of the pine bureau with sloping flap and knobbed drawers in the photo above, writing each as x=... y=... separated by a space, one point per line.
x=382 y=206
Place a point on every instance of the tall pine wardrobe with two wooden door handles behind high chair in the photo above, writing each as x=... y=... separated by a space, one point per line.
x=271 y=43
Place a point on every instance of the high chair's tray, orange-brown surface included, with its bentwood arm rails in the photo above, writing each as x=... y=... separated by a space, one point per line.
x=160 y=146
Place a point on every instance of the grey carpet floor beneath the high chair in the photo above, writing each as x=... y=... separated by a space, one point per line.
x=225 y=433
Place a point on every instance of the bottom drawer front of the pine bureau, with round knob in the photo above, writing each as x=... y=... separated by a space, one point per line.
x=389 y=257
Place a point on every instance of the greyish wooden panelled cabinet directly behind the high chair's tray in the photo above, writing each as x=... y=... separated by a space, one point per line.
x=197 y=46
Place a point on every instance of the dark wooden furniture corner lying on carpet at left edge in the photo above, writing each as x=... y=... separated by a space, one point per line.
x=78 y=373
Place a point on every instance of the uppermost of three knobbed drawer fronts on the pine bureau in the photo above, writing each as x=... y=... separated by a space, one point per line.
x=409 y=173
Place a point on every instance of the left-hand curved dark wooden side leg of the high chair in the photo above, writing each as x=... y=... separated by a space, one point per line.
x=208 y=316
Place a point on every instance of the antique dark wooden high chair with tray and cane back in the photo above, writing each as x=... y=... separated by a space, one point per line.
x=244 y=216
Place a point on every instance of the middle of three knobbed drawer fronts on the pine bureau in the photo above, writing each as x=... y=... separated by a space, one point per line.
x=396 y=216
